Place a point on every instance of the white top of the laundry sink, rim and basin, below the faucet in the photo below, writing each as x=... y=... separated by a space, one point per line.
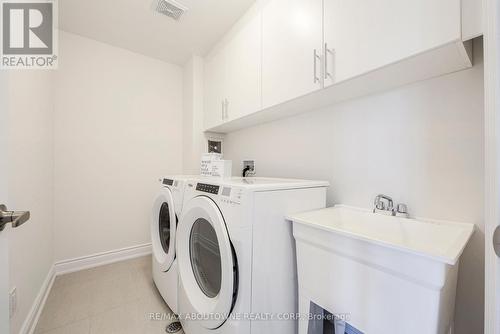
x=442 y=241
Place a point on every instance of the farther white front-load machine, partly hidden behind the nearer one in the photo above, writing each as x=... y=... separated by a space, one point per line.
x=167 y=209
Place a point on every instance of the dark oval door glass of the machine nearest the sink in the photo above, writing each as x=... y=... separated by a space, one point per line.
x=205 y=257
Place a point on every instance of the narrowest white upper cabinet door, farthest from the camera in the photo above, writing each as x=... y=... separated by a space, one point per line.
x=215 y=80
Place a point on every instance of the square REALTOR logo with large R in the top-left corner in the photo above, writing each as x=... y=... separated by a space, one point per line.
x=29 y=34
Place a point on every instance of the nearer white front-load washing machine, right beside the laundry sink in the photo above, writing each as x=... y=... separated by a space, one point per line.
x=236 y=254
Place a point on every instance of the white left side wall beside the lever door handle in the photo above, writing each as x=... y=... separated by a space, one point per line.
x=30 y=168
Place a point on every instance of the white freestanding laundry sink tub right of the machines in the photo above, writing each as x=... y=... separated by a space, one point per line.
x=383 y=274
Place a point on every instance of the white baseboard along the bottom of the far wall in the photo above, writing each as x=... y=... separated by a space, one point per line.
x=99 y=259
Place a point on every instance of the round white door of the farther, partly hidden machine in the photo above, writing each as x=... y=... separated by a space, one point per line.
x=163 y=229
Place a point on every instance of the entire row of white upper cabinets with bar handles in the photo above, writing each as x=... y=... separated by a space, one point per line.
x=285 y=57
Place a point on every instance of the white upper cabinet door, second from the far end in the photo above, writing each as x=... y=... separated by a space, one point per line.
x=244 y=70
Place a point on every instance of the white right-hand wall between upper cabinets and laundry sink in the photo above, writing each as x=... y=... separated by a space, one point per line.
x=421 y=144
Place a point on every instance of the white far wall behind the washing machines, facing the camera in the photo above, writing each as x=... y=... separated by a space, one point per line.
x=118 y=124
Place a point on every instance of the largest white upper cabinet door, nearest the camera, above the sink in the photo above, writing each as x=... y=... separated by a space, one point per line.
x=366 y=35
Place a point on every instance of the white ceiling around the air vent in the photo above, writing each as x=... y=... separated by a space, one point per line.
x=133 y=25
